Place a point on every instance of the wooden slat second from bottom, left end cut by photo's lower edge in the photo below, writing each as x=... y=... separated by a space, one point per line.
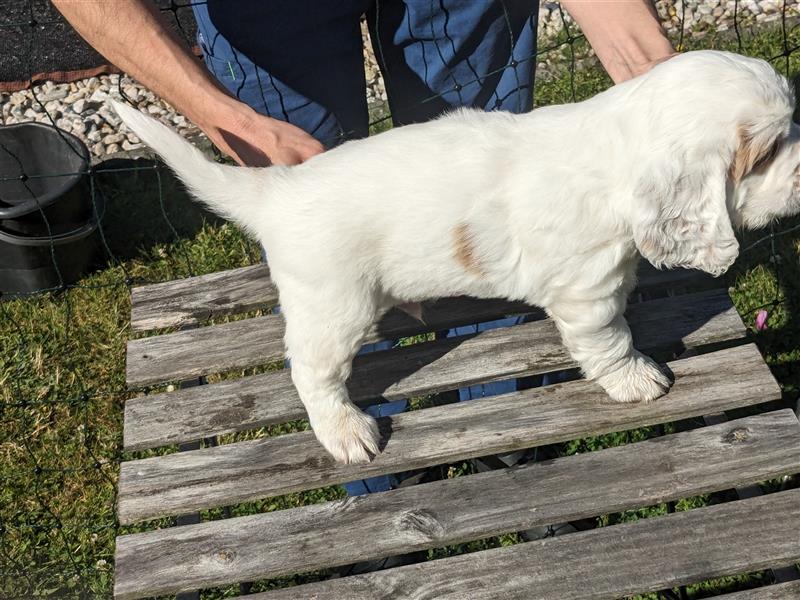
x=643 y=556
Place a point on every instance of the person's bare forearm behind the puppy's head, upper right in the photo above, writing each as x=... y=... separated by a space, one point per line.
x=625 y=34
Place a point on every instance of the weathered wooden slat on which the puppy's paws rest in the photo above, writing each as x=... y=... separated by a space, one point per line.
x=248 y=470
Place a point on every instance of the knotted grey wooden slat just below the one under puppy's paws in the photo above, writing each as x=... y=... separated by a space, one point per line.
x=453 y=511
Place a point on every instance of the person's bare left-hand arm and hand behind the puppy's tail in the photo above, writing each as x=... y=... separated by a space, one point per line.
x=134 y=37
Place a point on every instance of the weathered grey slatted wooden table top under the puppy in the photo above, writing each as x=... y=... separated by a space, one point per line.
x=719 y=372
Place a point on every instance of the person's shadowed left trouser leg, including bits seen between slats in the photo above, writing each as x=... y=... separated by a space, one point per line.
x=337 y=113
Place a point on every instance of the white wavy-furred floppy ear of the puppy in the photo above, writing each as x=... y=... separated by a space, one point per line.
x=680 y=218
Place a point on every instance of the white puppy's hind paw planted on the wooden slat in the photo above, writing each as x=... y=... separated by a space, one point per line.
x=350 y=435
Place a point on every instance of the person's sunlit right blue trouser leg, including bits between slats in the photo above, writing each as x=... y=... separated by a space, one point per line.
x=439 y=55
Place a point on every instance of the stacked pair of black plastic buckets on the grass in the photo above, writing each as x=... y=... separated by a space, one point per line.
x=47 y=220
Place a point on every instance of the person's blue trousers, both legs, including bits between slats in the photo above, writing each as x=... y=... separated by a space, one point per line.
x=302 y=62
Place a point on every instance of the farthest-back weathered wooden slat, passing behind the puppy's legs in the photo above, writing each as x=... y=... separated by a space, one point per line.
x=188 y=301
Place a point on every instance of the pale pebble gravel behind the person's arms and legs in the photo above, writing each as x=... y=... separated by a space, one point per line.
x=80 y=107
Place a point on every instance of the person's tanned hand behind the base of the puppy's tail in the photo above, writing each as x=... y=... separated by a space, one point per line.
x=254 y=140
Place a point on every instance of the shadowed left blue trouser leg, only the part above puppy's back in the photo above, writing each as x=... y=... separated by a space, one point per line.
x=331 y=113
